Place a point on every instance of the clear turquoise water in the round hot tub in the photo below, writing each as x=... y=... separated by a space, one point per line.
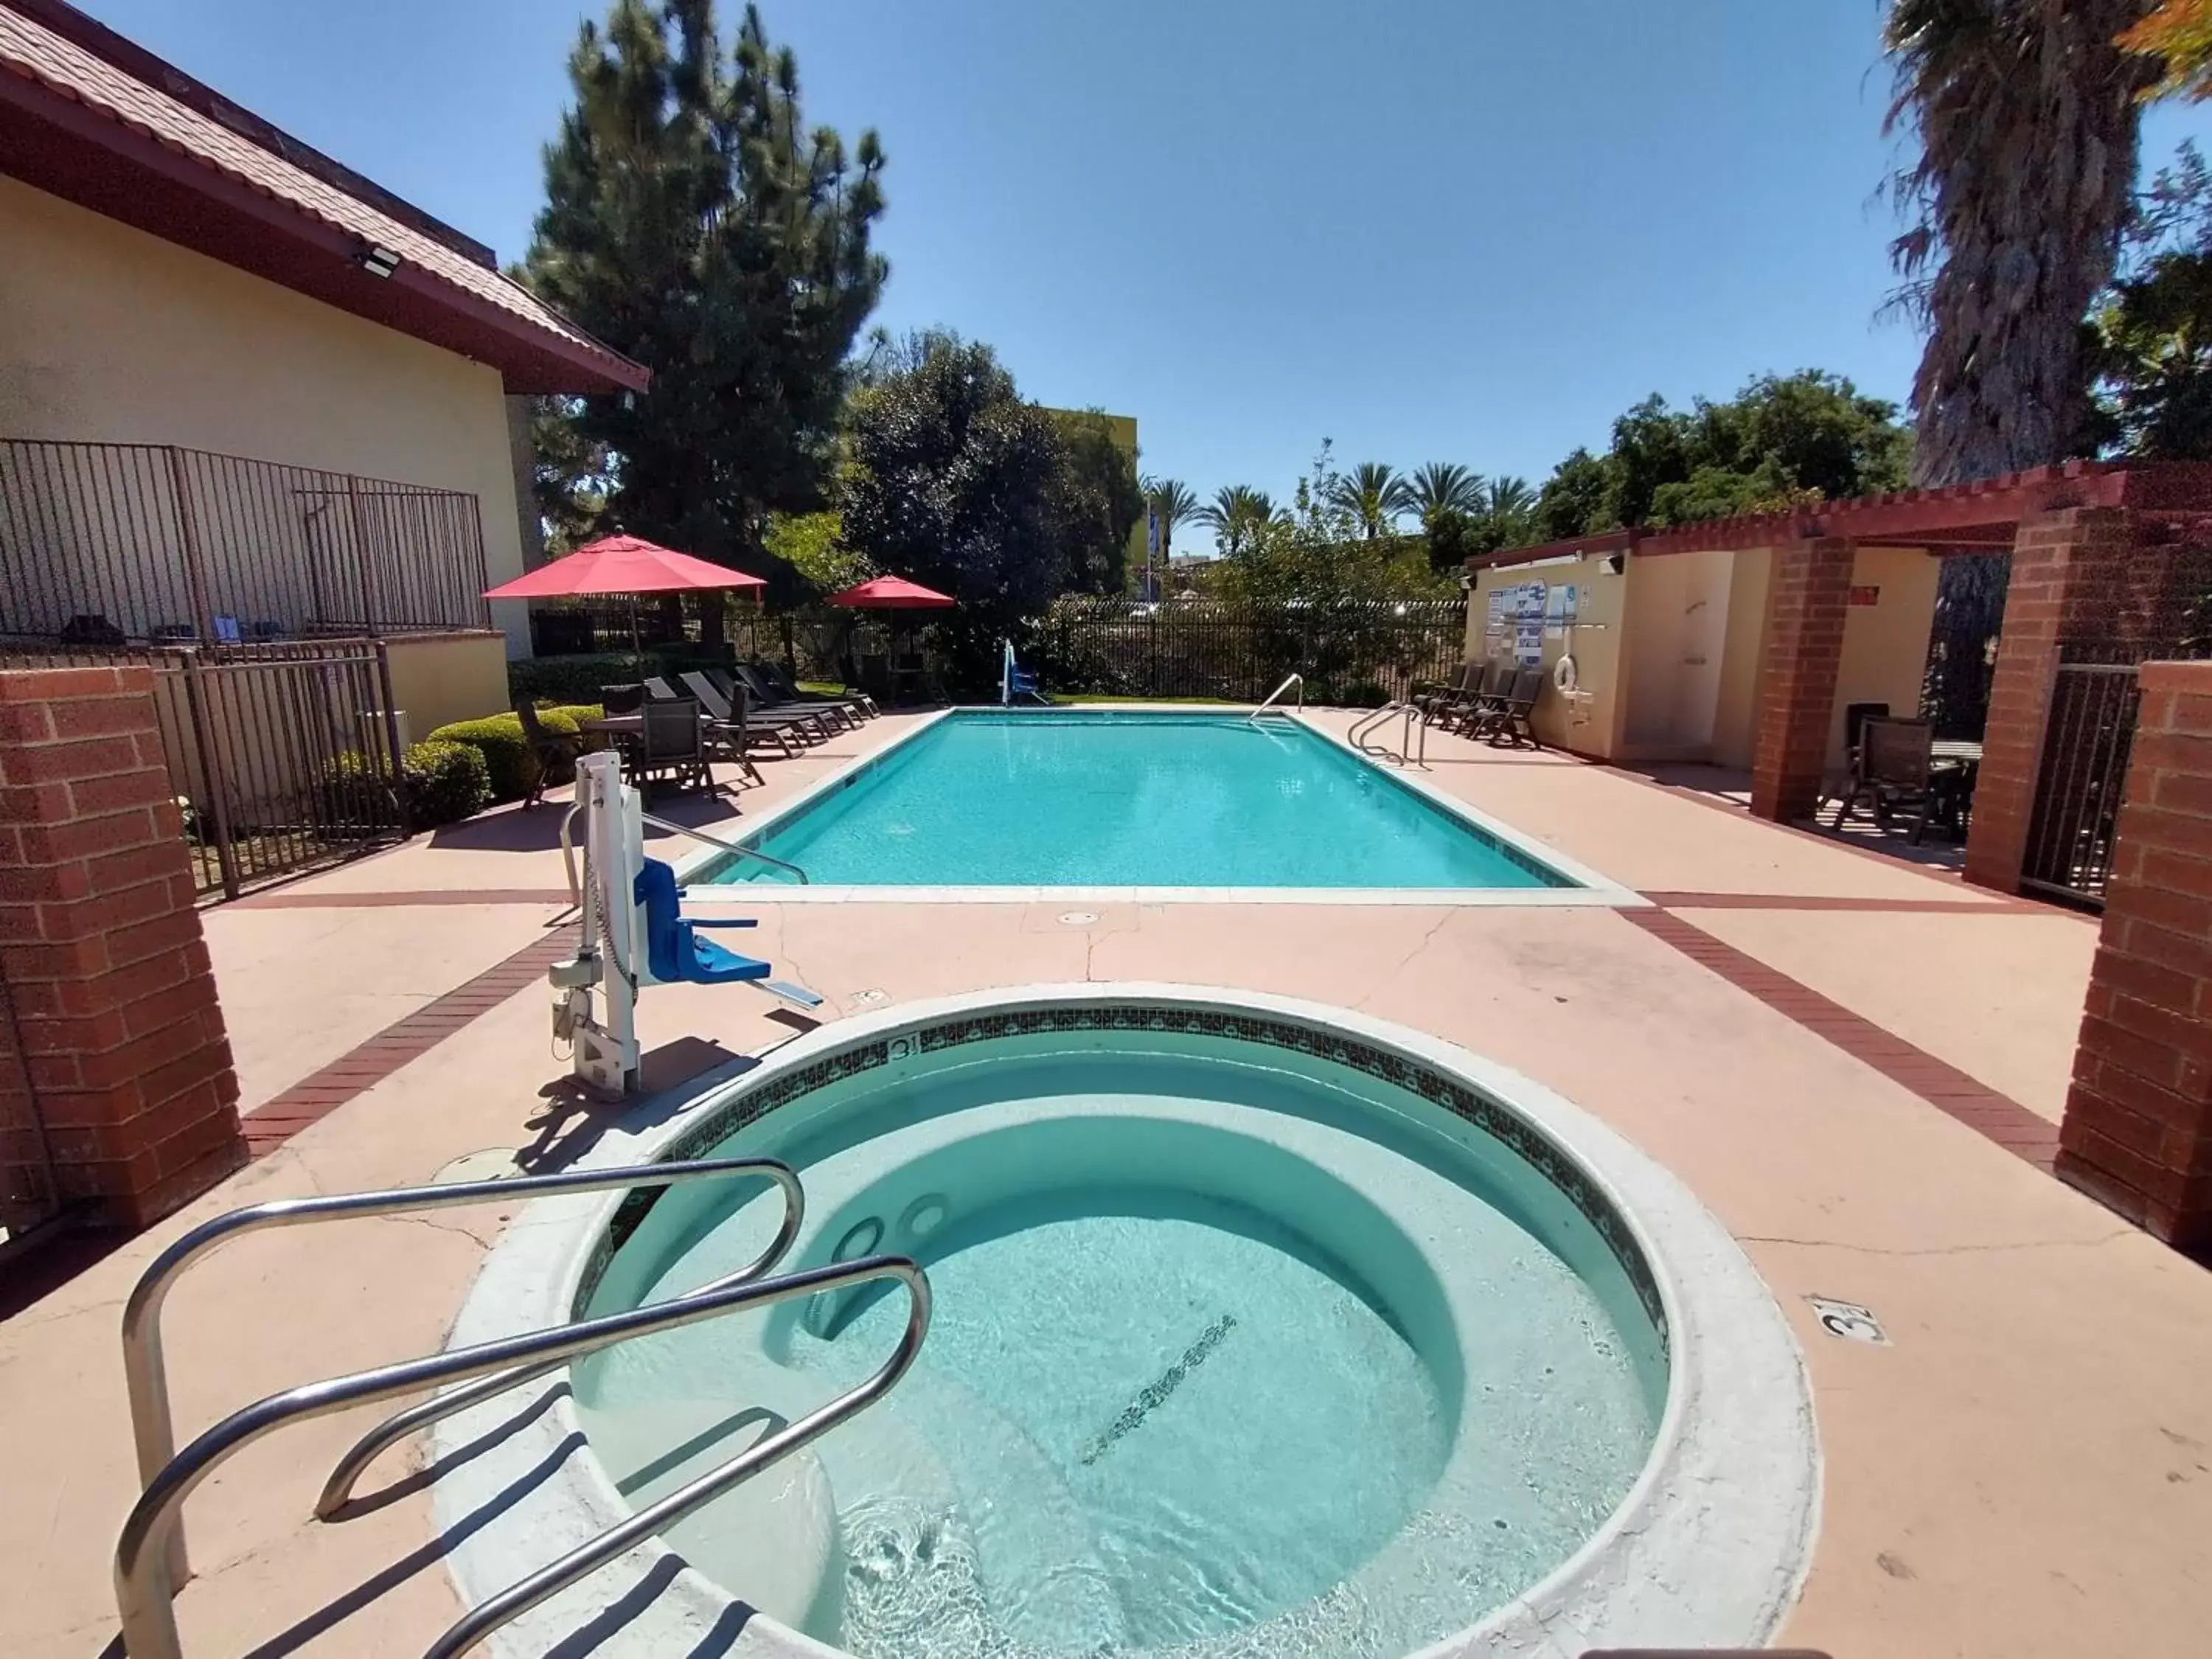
x=1231 y=1359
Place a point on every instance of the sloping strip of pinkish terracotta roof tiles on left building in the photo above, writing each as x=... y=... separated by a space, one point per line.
x=48 y=59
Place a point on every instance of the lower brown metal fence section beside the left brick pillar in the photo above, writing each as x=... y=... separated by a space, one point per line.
x=282 y=758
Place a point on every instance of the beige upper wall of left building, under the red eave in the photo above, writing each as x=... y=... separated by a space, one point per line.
x=121 y=337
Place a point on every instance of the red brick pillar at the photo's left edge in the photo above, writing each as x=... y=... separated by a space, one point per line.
x=101 y=948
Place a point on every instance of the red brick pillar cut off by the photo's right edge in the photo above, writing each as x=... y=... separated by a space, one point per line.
x=2138 y=1127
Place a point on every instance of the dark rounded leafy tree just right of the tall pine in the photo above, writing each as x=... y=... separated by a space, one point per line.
x=961 y=486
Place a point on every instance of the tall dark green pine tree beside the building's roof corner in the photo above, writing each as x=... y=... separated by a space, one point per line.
x=698 y=225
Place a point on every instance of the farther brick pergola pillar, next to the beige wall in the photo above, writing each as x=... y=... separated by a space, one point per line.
x=1797 y=676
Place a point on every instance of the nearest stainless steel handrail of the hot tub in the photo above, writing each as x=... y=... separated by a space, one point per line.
x=143 y=1589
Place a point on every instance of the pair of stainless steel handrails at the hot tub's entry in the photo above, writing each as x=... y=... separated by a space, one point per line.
x=149 y=1556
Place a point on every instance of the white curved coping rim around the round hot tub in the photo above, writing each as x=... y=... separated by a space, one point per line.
x=1711 y=1547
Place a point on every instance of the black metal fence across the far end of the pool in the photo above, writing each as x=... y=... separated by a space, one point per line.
x=1355 y=654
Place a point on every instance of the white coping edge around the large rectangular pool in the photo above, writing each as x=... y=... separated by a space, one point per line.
x=1592 y=888
